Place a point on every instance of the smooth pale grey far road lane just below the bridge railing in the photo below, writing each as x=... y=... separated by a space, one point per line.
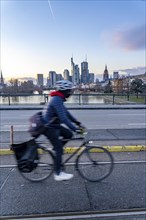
x=92 y=119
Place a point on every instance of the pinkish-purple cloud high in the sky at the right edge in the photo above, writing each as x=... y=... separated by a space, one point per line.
x=131 y=39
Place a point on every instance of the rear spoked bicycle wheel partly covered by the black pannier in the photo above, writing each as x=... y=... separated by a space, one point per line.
x=44 y=168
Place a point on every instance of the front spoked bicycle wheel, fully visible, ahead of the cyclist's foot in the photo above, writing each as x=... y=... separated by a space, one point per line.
x=95 y=163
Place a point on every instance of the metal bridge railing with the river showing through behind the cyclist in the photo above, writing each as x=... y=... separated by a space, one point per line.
x=79 y=99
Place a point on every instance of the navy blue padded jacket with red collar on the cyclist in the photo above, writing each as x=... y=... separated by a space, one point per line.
x=56 y=113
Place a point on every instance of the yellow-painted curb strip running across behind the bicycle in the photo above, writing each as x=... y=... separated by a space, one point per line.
x=69 y=150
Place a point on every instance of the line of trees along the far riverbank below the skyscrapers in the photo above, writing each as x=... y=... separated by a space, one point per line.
x=136 y=86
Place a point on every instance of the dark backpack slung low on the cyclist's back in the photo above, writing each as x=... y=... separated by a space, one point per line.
x=36 y=126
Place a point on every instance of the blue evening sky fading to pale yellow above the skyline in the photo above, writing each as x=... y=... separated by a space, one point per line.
x=38 y=36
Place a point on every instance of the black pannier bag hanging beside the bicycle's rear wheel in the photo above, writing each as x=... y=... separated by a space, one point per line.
x=26 y=155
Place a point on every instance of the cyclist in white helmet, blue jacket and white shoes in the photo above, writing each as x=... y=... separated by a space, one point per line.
x=55 y=116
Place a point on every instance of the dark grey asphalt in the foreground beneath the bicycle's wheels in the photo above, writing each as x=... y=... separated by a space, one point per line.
x=125 y=188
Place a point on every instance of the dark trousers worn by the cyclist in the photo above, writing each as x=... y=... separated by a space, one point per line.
x=54 y=134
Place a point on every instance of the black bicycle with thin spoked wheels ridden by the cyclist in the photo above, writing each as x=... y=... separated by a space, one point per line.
x=93 y=163
